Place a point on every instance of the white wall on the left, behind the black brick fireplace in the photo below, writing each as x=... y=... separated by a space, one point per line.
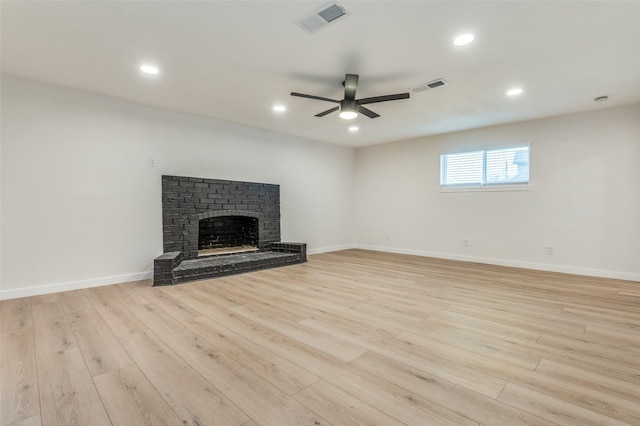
x=82 y=207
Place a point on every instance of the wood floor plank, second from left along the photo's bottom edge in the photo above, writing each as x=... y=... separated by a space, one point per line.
x=67 y=393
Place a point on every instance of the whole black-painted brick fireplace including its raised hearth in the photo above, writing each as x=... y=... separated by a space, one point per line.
x=204 y=218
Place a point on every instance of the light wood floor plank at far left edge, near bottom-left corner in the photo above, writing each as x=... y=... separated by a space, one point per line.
x=19 y=396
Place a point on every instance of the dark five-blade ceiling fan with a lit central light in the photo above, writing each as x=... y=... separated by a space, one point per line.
x=350 y=107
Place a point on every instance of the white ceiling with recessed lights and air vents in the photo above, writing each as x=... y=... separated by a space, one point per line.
x=233 y=60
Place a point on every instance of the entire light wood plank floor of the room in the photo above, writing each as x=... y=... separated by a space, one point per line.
x=349 y=338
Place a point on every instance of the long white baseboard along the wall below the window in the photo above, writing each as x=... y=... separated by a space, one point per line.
x=565 y=269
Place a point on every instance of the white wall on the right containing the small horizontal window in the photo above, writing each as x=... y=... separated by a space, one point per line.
x=585 y=199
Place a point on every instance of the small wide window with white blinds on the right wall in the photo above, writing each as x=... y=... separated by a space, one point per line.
x=485 y=168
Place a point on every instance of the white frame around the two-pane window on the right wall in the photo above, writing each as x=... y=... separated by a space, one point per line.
x=484 y=186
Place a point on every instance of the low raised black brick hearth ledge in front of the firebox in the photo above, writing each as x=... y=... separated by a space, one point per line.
x=171 y=268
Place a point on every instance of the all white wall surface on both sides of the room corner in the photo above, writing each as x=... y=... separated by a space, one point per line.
x=80 y=205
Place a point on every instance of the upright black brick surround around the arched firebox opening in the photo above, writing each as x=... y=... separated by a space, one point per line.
x=187 y=200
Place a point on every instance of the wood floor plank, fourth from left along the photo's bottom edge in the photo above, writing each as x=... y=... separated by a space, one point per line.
x=195 y=401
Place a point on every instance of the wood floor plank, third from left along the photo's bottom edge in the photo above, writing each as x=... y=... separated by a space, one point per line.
x=130 y=400
